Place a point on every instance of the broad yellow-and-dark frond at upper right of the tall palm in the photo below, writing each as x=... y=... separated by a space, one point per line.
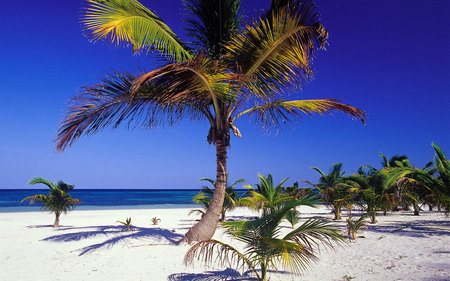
x=275 y=51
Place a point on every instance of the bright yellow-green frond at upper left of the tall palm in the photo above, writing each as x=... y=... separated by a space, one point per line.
x=129 y=22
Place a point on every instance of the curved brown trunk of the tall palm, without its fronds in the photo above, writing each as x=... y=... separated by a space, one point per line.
x=205 y=228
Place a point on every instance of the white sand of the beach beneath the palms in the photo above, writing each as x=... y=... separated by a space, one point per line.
x=90 y=246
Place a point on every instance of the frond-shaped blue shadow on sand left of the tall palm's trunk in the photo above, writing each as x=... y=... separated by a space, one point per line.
x=116 y=235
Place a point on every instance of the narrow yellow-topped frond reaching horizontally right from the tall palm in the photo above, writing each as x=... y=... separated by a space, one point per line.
x=276 y=113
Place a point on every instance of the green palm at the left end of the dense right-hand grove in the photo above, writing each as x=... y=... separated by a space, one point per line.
x=335 y=189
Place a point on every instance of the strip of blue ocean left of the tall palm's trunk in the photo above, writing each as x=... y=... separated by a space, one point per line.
x=104 y=199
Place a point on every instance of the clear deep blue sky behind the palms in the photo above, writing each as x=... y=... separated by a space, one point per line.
x=387 y=57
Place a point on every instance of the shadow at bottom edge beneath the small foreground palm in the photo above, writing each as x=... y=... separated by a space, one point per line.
x=227 y=274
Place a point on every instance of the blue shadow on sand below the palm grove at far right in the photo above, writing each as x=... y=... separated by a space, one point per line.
x=417 y=228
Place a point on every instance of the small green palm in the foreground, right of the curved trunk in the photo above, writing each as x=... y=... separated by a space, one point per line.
x=265 y=247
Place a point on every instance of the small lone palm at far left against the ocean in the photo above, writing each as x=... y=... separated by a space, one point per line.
x=57 y=201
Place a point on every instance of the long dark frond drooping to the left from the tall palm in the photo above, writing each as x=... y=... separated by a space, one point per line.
x=110 y=103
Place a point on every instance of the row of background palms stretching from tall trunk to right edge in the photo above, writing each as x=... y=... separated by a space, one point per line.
x=396 y=185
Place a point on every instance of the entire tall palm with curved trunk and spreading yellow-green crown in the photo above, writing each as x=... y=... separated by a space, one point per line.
x=232 y=70
